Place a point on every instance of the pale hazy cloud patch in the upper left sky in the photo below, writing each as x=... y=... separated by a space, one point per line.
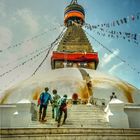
x=29 y=20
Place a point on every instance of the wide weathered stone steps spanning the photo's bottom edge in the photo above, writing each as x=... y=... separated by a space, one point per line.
x=70 y=134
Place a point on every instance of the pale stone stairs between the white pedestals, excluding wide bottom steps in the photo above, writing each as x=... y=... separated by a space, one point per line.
x=79 y=116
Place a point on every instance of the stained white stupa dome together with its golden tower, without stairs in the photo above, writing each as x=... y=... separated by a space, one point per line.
x=74 y=65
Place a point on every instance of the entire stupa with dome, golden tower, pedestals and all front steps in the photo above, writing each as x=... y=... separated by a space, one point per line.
x=74 y=72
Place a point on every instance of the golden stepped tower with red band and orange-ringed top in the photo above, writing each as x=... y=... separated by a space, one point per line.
x=74 y=50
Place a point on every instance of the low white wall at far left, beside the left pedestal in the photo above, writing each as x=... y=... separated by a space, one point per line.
x=6 y=115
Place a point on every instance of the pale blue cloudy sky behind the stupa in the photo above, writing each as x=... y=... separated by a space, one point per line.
x=29 y=27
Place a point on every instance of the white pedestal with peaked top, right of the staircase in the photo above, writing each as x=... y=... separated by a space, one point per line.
x=116 y=115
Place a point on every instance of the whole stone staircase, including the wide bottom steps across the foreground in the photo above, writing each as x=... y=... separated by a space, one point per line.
x=83 y=123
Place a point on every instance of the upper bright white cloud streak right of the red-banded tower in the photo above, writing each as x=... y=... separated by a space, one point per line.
x=108 y=57
